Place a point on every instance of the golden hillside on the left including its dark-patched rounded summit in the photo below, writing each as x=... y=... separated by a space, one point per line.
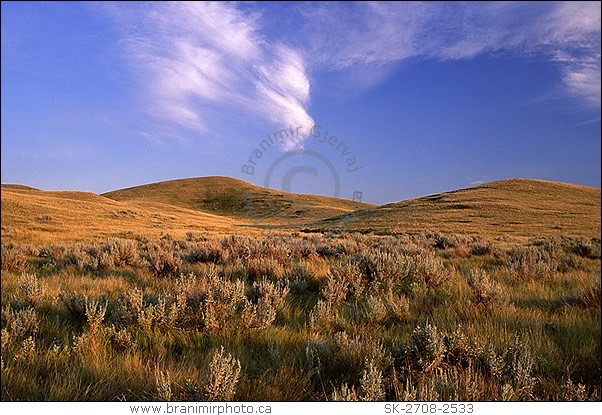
x=205 y=205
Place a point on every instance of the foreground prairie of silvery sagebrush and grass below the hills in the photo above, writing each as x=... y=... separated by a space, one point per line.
x=302 y=316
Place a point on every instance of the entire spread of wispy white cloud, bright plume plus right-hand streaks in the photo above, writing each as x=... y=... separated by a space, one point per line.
x=196 y=57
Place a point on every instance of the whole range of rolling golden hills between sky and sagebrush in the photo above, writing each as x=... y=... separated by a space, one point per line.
x=221 y=205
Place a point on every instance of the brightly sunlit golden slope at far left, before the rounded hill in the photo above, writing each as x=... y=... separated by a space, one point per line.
x=35 y=216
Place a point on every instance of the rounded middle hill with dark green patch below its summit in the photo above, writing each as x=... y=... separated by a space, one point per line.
x=230 y=197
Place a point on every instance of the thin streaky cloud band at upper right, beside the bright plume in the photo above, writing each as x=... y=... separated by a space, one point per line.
x=373 y=35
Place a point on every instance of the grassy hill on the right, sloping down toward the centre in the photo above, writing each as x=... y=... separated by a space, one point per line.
x=518 y=207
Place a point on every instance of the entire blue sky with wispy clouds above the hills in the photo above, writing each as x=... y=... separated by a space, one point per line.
x=386 y=100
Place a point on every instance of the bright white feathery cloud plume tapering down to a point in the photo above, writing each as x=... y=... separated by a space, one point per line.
x=198 y=55
